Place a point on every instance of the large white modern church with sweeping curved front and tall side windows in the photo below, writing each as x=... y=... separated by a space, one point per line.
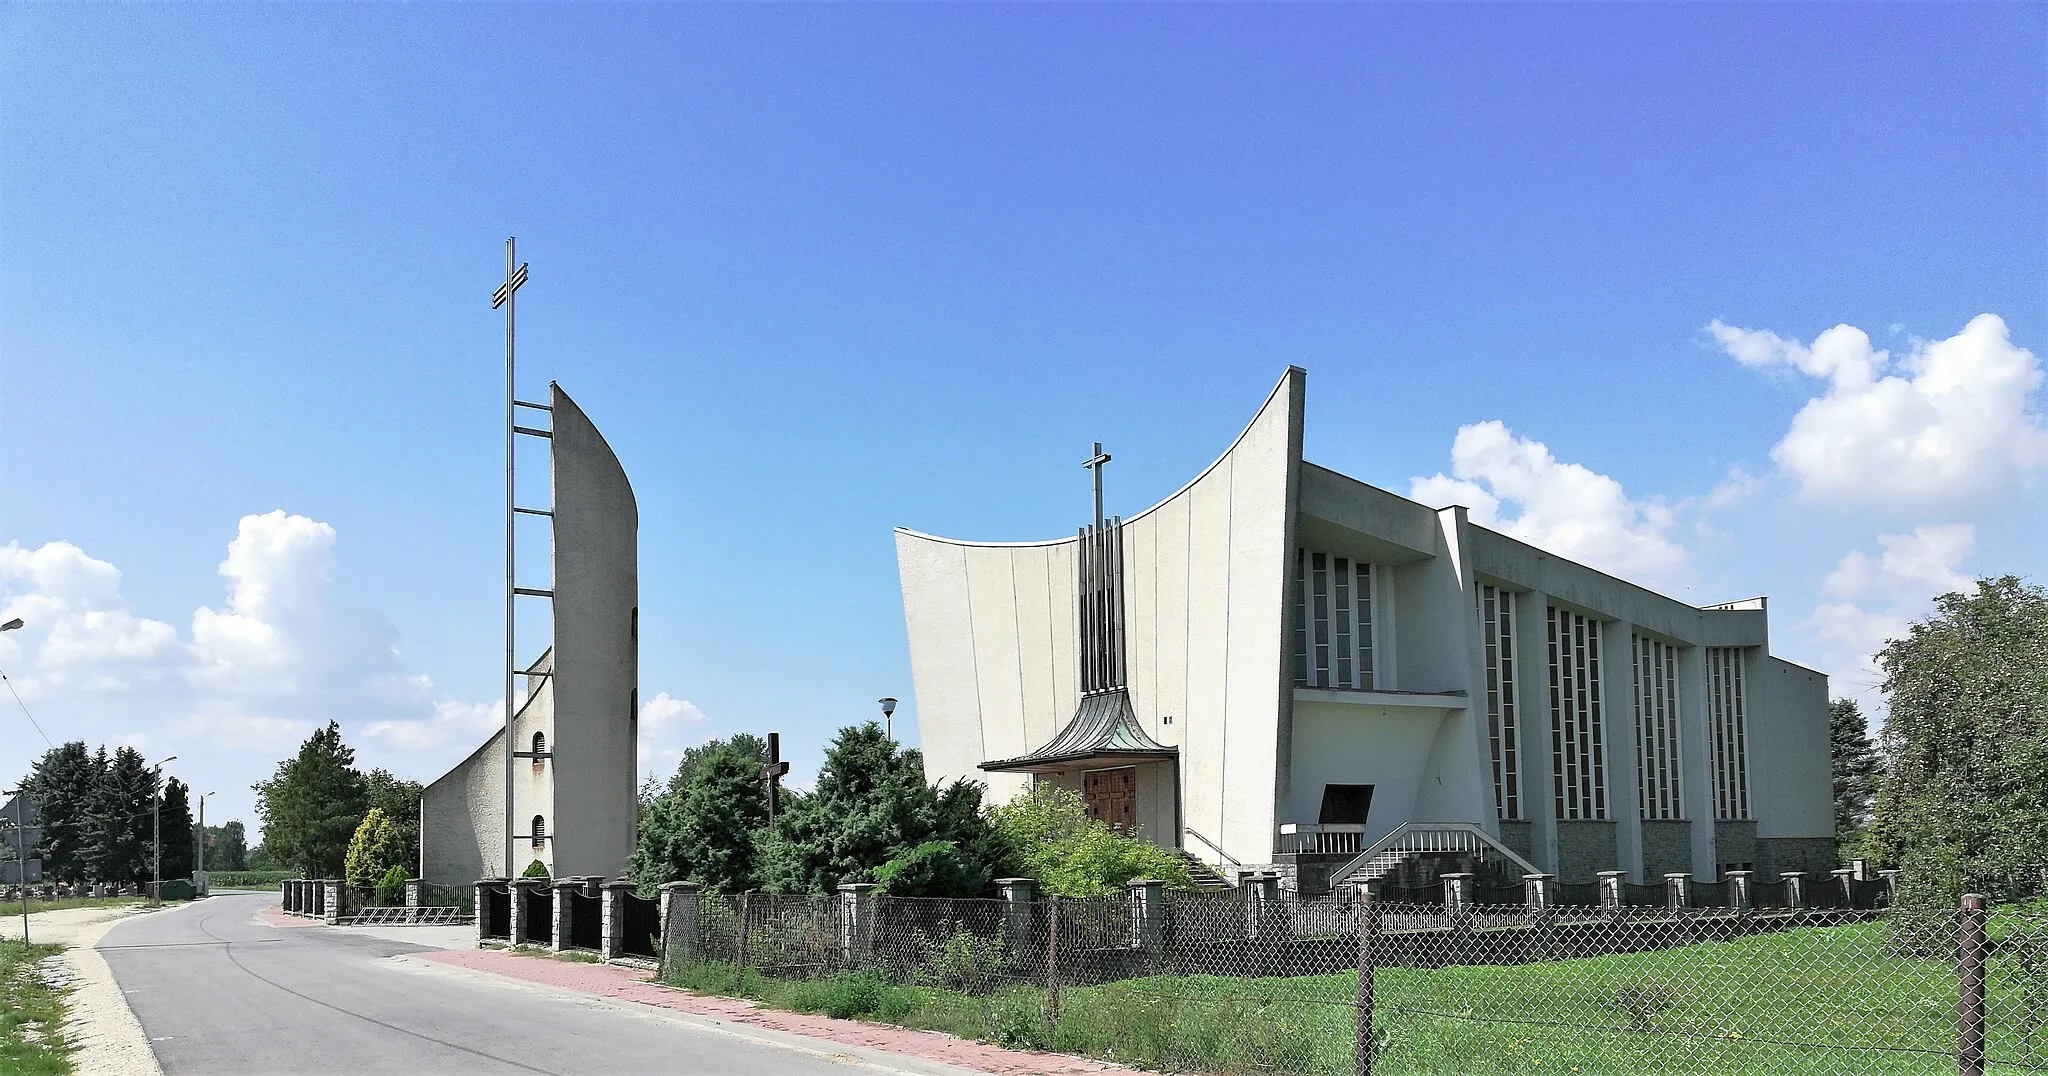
x=1285 y=667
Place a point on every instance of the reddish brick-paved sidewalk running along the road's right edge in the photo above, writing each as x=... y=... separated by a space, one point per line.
x=628 y=985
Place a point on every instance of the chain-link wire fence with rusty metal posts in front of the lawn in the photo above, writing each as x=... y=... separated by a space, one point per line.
x=1256 y=981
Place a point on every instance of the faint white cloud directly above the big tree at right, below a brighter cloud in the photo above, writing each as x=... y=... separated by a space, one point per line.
x=1877 y=597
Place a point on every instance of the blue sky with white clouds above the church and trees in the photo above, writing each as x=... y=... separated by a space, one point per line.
x=820 y=272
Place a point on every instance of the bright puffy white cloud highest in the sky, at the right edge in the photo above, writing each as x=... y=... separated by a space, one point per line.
x=1947 y=423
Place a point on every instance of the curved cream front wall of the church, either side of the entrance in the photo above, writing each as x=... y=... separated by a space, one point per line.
x=992 y=638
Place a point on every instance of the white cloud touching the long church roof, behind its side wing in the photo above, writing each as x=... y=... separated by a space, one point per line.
x=1517 y=487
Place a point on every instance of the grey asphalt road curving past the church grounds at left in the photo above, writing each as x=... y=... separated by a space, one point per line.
x=222 y=993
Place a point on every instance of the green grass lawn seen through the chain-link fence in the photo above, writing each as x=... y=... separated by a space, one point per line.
x=1816 y=1001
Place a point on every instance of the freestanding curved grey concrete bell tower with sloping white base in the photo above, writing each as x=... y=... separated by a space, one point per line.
x=577 y=731
